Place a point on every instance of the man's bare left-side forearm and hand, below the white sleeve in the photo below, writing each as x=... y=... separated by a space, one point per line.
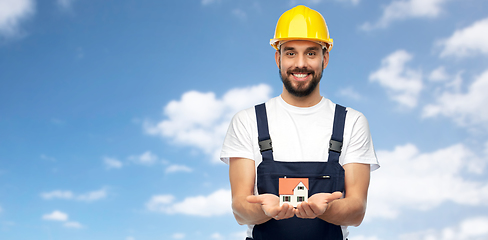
x=247 y=208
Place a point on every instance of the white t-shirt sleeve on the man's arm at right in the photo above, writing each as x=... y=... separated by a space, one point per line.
x=360 y=148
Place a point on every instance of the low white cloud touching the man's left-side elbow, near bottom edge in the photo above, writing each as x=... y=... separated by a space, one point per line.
x=215 y=204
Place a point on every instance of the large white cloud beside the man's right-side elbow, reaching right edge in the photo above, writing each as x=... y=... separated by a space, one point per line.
x=421 y=181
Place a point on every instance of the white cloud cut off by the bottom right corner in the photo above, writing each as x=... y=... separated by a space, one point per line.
x=469 y=229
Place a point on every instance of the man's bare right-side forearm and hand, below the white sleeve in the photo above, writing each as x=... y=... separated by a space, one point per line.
x=348 y=211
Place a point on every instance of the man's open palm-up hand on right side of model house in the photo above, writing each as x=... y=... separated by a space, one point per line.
x=316 y=205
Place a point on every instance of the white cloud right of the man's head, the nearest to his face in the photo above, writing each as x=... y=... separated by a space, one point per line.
x=402 y=84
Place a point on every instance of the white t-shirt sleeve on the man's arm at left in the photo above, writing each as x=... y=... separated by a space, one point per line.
x=238 y=140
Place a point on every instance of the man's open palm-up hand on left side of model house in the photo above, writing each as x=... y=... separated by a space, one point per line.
x=271 y=206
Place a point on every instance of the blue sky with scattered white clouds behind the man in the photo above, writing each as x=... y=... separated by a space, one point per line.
x=112 y=113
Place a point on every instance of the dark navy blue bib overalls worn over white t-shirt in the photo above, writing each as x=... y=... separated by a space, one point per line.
x=324 y=177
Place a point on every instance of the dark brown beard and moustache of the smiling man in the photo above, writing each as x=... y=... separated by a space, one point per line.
x=302 y=89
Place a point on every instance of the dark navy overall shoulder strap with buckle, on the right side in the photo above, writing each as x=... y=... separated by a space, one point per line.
x=335 y=144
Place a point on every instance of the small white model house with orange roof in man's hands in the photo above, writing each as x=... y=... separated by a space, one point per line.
x=293 y=190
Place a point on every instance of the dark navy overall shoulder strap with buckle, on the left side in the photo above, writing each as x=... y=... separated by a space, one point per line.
x=264 y=139
